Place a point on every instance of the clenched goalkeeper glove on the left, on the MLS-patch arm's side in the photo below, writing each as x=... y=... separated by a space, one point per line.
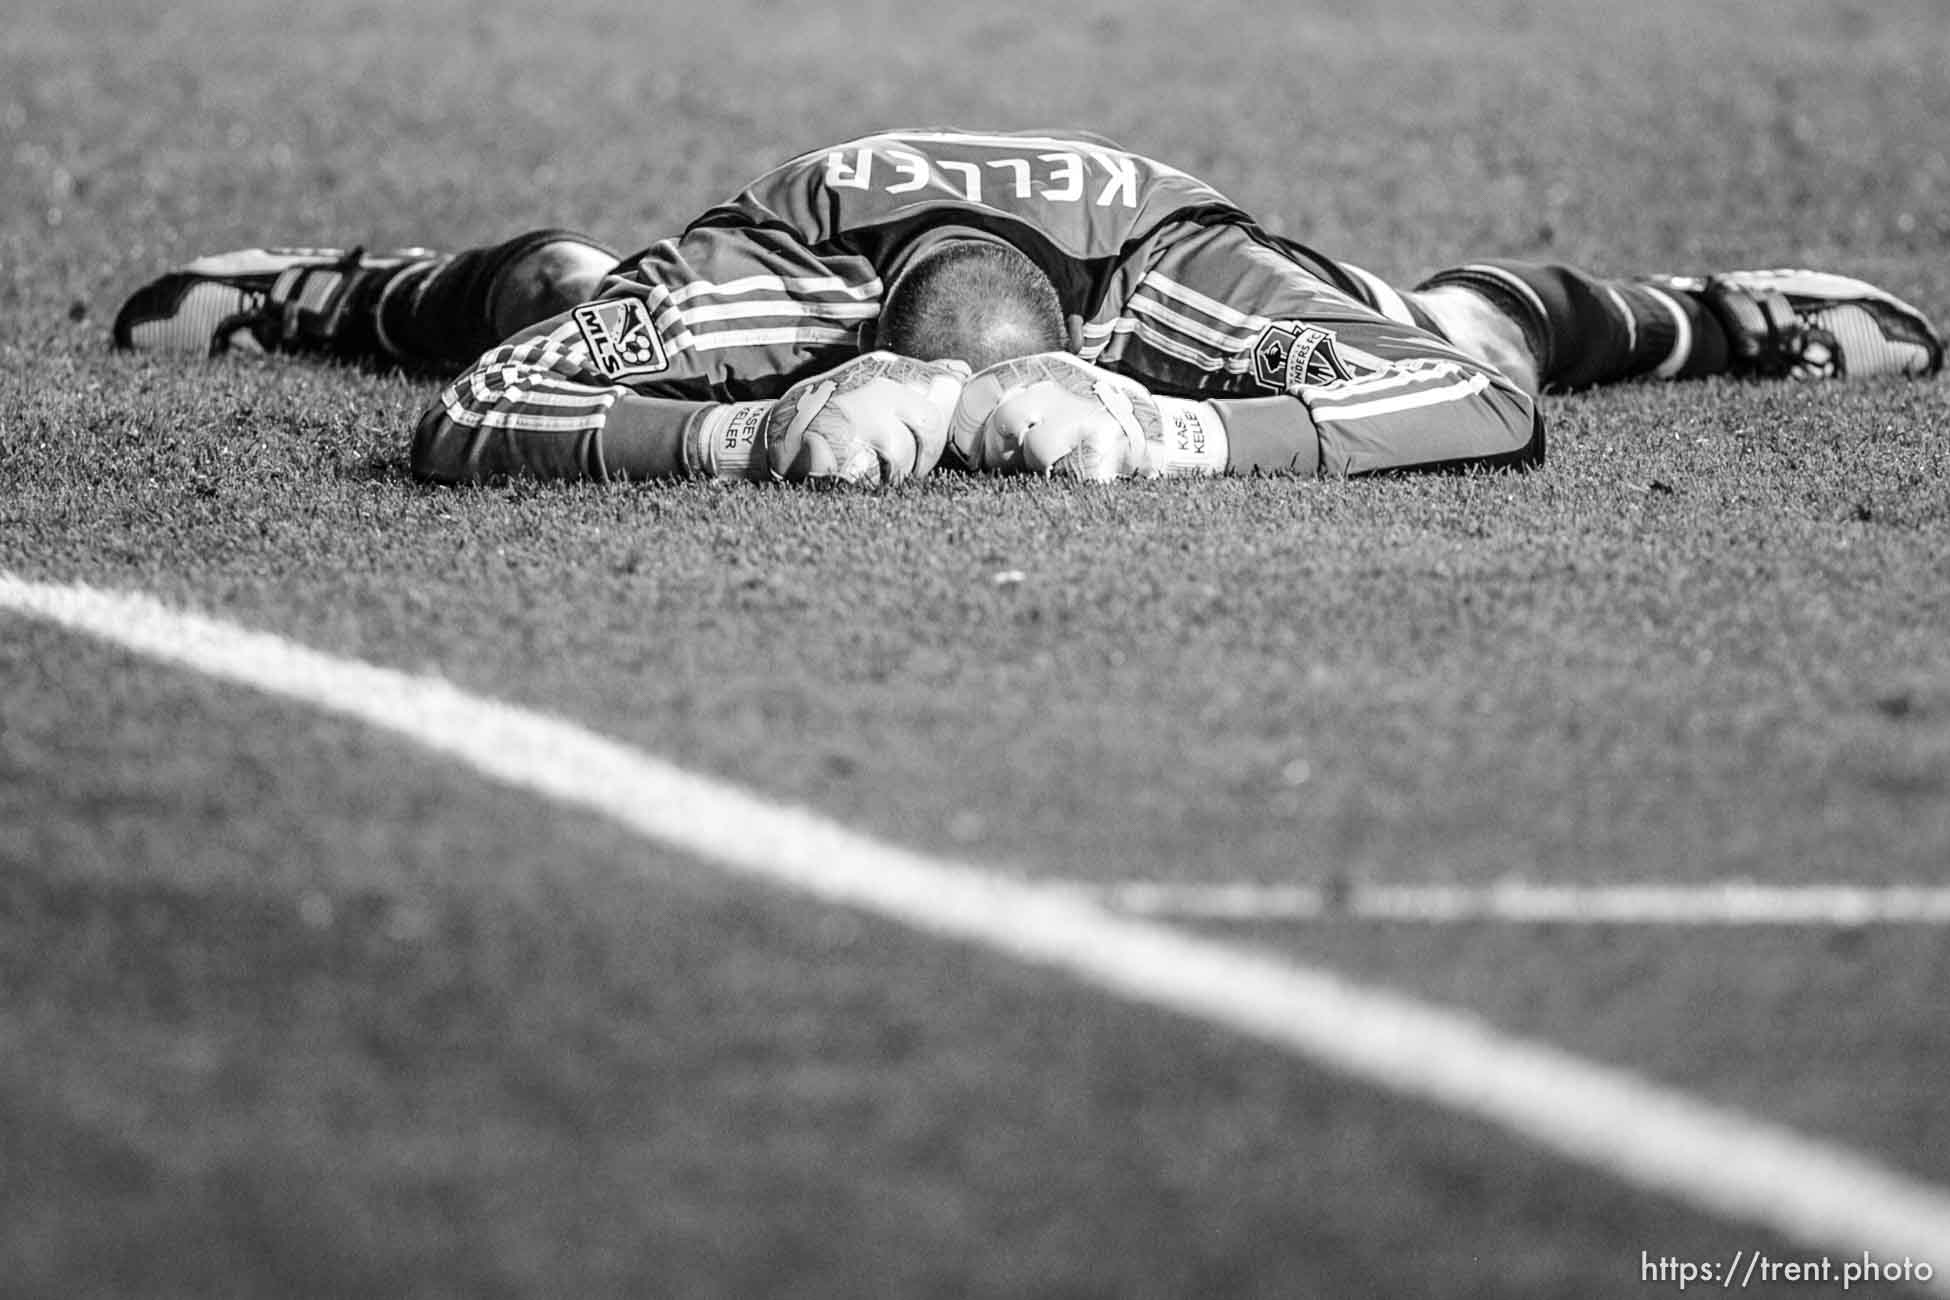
x=875 y=420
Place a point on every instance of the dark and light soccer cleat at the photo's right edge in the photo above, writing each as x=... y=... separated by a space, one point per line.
x=1816 y=326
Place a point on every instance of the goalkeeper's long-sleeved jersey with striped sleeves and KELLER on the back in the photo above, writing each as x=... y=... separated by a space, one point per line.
x=1163 y=280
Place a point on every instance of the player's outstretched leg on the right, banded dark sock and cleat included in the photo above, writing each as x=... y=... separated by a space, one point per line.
x=1582 y=330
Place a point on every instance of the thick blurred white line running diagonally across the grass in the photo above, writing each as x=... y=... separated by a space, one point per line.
x=1649 y=1135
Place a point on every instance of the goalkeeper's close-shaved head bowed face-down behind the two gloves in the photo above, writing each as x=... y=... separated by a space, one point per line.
x=972 y=301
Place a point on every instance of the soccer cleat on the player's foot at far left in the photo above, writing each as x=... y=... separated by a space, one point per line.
x=266 y=301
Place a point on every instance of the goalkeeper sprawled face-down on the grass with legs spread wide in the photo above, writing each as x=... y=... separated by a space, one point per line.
x=1019 y=301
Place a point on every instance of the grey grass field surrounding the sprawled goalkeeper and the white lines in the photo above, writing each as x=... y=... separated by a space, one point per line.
x=292 y=1009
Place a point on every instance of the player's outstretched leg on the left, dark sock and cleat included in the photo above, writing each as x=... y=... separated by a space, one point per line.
x=409 y=307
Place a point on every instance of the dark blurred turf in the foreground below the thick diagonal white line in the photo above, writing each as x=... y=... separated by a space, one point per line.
x=494 y=1050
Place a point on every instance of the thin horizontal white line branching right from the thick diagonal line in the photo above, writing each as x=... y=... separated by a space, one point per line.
x=1727 y=903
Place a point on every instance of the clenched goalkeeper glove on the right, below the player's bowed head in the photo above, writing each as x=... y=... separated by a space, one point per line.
x=1056 y=414
